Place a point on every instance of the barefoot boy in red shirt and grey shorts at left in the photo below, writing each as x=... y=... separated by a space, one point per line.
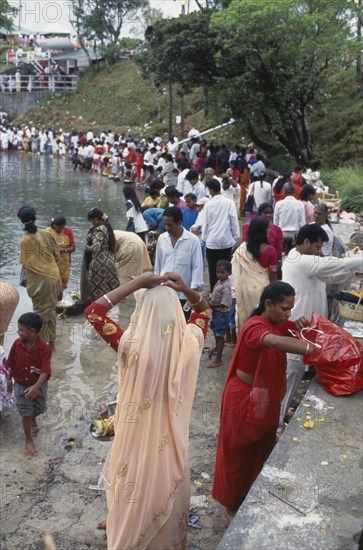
x=29 y=366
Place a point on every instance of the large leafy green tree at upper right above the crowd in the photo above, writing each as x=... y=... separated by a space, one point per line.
x=275 y=57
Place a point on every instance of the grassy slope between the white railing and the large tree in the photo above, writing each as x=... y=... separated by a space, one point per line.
x=117 y=98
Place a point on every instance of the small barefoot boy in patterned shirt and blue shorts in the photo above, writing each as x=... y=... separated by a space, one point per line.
x=220 y=302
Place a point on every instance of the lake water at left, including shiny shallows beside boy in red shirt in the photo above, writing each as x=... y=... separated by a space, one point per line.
x=83 y=367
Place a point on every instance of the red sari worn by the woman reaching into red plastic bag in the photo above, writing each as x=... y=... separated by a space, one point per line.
x=249 y=414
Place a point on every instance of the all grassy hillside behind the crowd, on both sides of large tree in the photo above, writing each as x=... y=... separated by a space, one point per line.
x=120 y=99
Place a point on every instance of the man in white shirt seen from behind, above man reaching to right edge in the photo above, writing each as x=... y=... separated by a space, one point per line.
x=289 y=213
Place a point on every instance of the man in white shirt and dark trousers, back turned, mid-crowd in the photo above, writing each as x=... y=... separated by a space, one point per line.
x=220 y=229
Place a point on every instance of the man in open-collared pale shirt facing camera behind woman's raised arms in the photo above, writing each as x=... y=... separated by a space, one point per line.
x=179 y=251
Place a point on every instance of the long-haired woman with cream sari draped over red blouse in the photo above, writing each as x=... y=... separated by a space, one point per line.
x=254 y=266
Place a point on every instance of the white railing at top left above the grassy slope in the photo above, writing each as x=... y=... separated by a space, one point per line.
x=38 y=83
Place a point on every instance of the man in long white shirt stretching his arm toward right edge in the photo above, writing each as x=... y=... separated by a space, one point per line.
x=308 y=272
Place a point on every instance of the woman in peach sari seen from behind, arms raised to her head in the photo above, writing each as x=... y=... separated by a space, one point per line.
x=146 y=474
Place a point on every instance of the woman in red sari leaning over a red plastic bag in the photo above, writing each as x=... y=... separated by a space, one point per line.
x=252 y=395
